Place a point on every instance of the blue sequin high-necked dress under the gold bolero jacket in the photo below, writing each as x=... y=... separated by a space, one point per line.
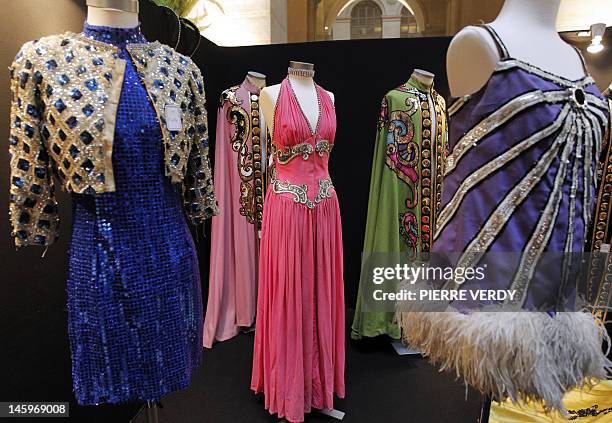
x=134 y=302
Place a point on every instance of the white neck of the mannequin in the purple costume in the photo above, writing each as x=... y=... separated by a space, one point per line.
x=542 y=13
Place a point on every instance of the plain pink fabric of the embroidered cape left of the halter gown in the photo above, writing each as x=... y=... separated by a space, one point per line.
x=232 y=289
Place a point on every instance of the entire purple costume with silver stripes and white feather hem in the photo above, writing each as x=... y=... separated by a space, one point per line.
x=519 y=185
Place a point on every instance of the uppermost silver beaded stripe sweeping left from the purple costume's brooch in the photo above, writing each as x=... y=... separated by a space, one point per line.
x=498 y=118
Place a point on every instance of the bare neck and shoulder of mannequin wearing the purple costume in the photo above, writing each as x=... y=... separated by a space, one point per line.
x=537 y=43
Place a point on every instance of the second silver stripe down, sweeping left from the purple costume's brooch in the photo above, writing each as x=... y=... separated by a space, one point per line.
x=483 y=172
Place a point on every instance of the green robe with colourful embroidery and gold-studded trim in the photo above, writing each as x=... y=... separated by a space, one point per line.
x=405 y=188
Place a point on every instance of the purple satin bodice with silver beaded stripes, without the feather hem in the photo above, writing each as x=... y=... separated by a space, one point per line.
x=520 y=180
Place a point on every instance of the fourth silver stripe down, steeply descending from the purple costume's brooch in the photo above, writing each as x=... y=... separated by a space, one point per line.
x=539 y=239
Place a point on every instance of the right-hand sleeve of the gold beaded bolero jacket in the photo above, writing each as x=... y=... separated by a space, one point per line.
x=199 y=195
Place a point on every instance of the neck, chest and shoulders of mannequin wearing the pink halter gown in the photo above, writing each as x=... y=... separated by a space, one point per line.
x=303 y=86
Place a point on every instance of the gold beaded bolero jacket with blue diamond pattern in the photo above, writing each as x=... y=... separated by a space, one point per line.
x=66 y=92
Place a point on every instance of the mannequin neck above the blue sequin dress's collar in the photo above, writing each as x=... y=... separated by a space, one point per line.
x=113 y=13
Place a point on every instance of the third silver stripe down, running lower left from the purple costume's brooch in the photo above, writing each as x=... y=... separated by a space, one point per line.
x=502 y=214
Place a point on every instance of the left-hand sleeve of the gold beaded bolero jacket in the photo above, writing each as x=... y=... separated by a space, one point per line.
x=33 y=208
